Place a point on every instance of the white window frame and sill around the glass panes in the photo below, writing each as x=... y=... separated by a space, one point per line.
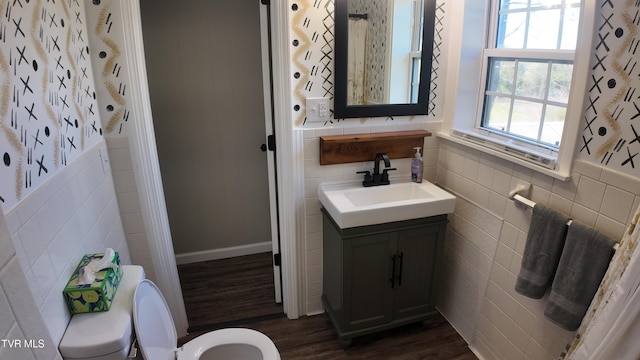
x=472 y=52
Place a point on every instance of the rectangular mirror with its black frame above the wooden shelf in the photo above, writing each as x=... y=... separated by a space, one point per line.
x=382 y=67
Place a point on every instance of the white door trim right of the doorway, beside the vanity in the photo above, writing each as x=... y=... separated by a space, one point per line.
x=290 y=169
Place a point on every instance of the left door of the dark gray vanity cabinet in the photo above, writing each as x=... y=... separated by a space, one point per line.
x=368 y=292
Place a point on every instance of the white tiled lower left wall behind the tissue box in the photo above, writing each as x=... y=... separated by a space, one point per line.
x=72 y=214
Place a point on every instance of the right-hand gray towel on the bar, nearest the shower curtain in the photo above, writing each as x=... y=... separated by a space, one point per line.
x=583 y=263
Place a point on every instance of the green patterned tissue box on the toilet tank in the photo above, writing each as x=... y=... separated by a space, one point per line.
x=94 y=297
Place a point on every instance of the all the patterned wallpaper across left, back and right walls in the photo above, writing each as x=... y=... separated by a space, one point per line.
x=49 y=113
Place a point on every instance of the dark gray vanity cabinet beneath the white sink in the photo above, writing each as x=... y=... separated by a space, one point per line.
x=380 y=276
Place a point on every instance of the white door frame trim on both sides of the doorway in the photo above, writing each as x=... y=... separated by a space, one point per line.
x=147 y=169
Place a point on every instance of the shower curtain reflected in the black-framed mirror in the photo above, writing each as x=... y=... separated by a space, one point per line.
x=356 y=65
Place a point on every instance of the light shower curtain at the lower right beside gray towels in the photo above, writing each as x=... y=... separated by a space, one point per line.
x=611 y=328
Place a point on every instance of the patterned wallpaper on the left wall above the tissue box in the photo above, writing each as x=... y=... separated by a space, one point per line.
x=48 y=109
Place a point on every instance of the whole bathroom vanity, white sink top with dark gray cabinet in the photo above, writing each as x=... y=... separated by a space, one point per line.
x=382 y=248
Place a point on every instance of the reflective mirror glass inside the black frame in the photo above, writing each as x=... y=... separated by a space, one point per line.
x=384 y=51
